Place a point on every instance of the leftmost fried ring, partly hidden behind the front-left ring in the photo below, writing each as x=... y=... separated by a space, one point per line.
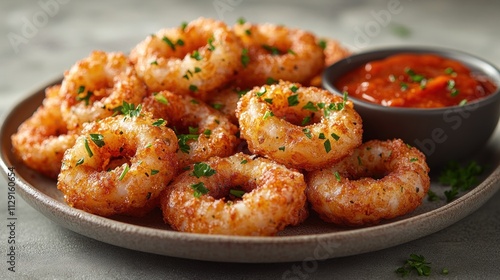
x=41 y=140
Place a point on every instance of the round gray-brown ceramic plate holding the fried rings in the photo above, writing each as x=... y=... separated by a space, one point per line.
x=311 y=240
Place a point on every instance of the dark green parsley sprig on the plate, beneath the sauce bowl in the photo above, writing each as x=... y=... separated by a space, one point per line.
x=460 y=178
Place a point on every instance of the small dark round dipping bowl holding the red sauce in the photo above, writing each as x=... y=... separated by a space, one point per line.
x=442 y=134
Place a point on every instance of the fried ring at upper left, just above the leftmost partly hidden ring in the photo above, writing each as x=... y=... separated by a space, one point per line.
x=95 y=86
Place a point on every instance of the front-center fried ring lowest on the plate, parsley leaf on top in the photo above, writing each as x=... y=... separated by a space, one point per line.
x=272 y=197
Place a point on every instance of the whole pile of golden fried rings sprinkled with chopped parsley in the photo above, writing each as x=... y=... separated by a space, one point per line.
x=221 y=127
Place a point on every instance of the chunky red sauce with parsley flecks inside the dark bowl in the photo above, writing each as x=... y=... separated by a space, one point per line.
x=416 y=81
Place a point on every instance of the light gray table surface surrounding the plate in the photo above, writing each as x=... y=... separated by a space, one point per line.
x=41 y=39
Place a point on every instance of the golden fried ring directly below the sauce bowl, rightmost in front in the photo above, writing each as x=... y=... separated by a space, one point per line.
x=379 y=180
